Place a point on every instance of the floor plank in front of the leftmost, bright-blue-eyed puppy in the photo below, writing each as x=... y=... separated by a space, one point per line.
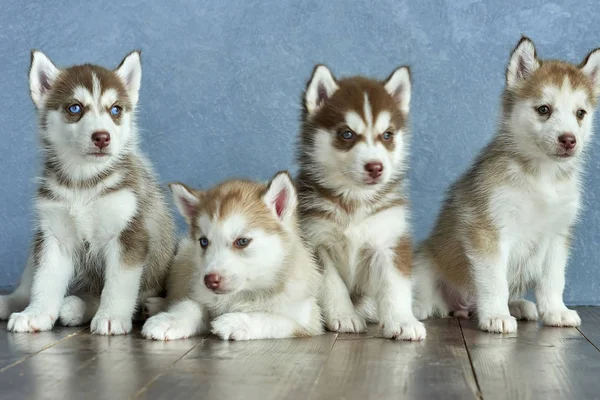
x=93 y=367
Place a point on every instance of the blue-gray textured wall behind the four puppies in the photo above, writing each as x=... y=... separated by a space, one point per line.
x=222 y=83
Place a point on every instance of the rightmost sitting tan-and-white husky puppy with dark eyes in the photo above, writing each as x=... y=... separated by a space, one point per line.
x=506 y=224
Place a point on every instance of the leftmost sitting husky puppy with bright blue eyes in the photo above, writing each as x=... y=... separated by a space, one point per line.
x=104 y=236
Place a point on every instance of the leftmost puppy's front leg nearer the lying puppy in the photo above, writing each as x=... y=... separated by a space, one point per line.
x=122 y=278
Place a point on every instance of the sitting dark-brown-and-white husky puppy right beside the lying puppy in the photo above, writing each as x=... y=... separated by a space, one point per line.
x=353 y=200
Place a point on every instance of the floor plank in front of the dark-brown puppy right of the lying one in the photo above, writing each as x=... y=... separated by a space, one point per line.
x=367 y=366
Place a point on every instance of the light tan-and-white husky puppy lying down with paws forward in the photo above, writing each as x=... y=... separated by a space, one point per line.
x=243 y=272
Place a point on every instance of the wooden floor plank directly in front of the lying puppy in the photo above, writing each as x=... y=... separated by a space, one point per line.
x=260 y=369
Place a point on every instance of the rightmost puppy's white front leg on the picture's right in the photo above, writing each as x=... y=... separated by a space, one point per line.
x=549 y=289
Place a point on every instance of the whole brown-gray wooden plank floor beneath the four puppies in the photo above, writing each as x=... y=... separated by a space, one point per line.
x=456 y=361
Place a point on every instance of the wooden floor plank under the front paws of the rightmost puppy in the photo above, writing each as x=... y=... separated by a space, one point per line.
x=536 y=362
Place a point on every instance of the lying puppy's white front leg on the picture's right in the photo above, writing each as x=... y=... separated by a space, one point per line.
x=256 y=325
